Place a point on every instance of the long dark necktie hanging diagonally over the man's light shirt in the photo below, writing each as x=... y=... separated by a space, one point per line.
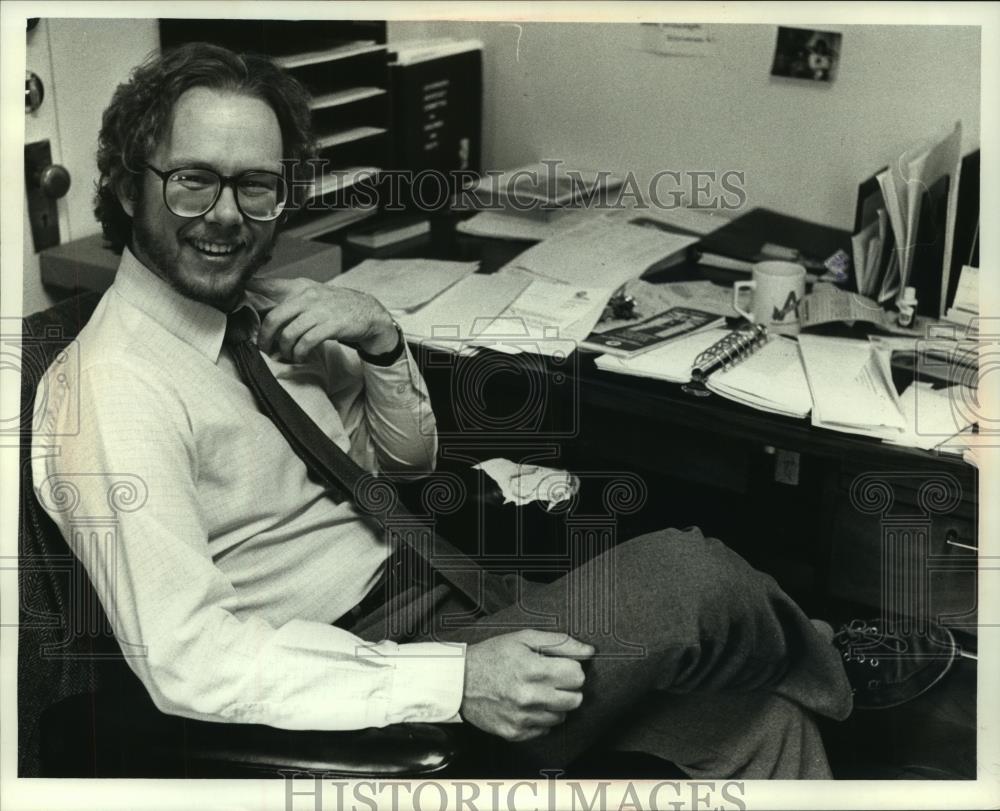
x=345 y=478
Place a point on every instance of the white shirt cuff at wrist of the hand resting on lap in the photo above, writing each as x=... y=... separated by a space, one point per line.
x=428 y=683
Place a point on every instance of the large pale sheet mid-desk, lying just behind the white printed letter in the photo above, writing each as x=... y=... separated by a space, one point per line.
x=602 y=254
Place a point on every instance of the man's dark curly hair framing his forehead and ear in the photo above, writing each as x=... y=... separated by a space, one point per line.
x=141 y=112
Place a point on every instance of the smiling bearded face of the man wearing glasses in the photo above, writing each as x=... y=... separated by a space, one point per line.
x=206 y=238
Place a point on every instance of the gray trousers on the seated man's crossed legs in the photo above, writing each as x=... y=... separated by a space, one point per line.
x=701 y=659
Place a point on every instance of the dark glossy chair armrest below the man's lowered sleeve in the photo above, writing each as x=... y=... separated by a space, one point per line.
x=109 y=734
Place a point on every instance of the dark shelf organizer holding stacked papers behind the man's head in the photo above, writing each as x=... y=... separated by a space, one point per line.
x=344 y=65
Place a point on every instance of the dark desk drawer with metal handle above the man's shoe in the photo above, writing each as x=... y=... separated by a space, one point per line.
x=905 y=555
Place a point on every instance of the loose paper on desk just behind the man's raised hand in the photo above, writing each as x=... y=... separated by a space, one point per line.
x=404 y=284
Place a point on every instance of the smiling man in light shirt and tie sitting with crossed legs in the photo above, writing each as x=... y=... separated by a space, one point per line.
x=260 y=593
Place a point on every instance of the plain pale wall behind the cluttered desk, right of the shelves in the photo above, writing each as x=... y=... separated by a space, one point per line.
x=588 y=94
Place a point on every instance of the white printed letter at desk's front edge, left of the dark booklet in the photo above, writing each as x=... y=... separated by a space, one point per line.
x=552 y=315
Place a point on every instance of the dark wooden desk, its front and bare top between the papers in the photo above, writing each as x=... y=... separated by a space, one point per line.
x=832 y=513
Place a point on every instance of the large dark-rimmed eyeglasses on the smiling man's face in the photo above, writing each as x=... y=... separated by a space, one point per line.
x=193 y=192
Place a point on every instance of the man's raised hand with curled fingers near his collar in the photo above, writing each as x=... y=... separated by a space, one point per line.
x=308 y=313
